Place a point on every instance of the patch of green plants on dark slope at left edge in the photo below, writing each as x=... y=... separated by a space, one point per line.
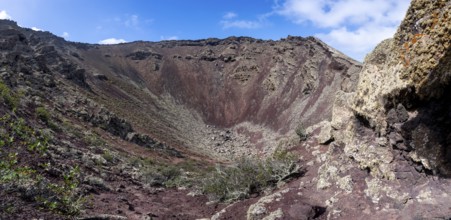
x=19 y=141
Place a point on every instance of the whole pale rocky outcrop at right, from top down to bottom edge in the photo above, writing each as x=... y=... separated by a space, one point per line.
x=395 y=126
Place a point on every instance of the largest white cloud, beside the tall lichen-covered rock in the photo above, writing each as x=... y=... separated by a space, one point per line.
x=352 y=26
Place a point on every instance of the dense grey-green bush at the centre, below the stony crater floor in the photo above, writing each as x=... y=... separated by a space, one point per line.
x=249 y=176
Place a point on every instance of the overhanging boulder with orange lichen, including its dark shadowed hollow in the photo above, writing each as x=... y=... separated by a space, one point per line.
x=404 y=83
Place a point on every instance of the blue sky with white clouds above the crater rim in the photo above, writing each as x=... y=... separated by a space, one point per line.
x=351 y=26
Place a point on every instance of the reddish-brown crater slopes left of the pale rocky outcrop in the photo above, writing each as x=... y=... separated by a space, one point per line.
x=125 y=120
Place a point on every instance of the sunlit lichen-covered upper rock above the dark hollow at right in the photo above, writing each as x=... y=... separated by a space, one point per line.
x=415 y=63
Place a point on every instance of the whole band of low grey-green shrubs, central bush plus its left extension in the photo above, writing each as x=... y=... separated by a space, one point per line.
x=222 y=183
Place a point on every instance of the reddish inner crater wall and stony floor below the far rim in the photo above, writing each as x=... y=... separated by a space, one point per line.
x=188 y=93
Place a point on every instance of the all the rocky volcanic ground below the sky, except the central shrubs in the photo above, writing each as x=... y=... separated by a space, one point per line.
x=125 y=125
